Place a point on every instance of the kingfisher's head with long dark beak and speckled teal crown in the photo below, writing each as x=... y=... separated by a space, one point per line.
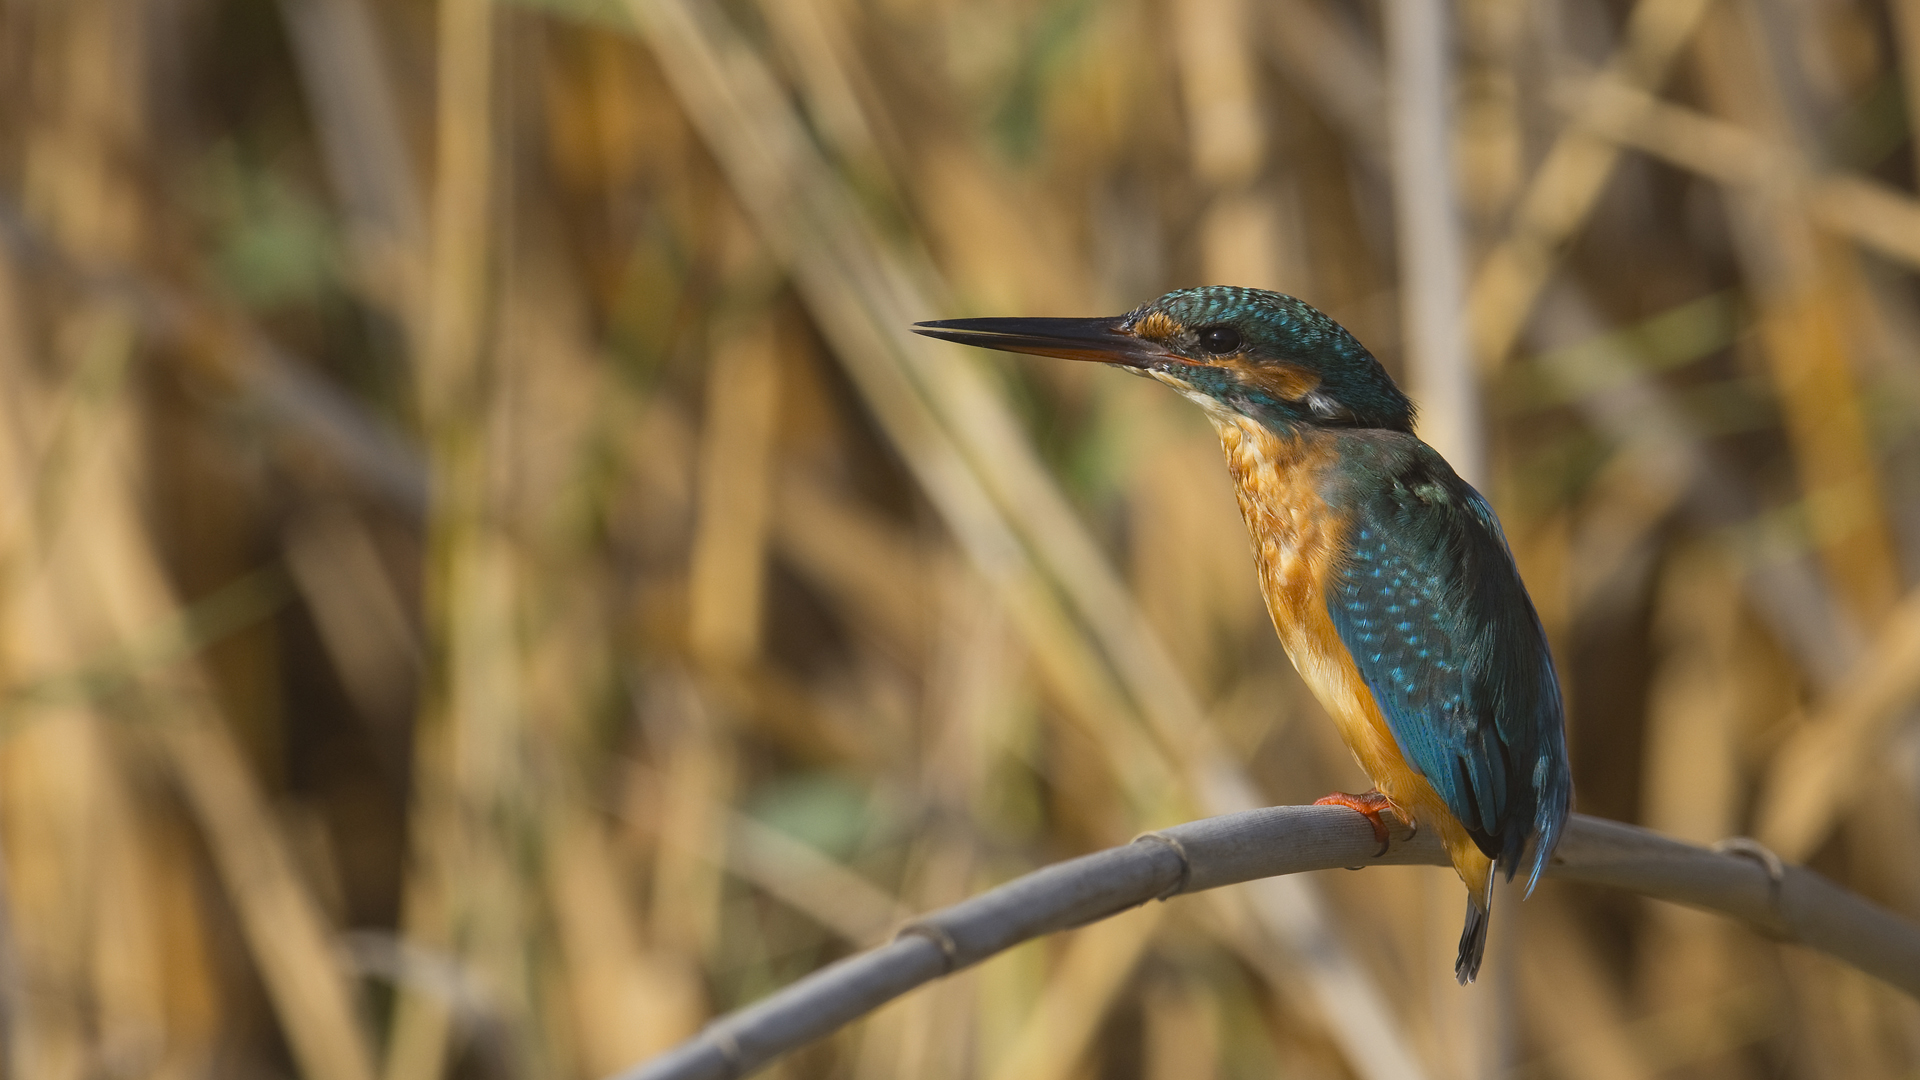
x=1245 y=351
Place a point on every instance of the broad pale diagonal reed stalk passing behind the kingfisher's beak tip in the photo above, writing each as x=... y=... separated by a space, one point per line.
x=865 y=307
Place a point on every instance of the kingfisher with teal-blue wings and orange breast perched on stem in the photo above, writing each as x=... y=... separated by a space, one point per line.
x=1387 y=576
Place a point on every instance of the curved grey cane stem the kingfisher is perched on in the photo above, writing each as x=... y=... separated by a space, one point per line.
x=1744 y=883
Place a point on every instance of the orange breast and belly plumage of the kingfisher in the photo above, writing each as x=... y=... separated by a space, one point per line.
x=1299 y=543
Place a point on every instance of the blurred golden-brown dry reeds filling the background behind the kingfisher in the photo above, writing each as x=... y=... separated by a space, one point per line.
x=489 y=581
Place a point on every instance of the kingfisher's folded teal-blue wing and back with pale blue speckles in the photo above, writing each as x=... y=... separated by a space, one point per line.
x=1441 y=627
